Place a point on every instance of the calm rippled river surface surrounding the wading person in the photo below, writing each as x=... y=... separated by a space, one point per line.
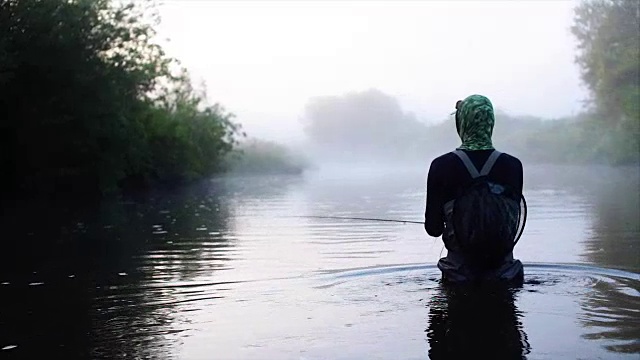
x=227 y=270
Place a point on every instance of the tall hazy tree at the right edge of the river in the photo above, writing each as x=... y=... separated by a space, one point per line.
x=608 y=35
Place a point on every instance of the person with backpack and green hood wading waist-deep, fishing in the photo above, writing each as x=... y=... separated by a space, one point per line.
x=474 y=201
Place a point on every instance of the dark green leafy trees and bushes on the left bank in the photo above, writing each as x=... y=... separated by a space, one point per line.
x=90 y=103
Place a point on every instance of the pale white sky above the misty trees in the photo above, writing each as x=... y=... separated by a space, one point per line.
x=263 y=60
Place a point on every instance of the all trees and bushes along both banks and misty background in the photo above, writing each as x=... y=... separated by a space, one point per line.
x=94 y=108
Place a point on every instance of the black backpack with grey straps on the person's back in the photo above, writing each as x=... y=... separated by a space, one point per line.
x=488 y=218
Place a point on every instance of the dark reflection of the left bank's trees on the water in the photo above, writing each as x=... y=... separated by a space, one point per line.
x=107 y=288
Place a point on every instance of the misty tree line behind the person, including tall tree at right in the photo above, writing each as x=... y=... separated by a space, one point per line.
x=371 y=124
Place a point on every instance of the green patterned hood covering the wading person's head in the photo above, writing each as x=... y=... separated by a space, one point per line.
x=474 y=122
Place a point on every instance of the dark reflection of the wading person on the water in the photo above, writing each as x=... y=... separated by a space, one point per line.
x=471 y=322
